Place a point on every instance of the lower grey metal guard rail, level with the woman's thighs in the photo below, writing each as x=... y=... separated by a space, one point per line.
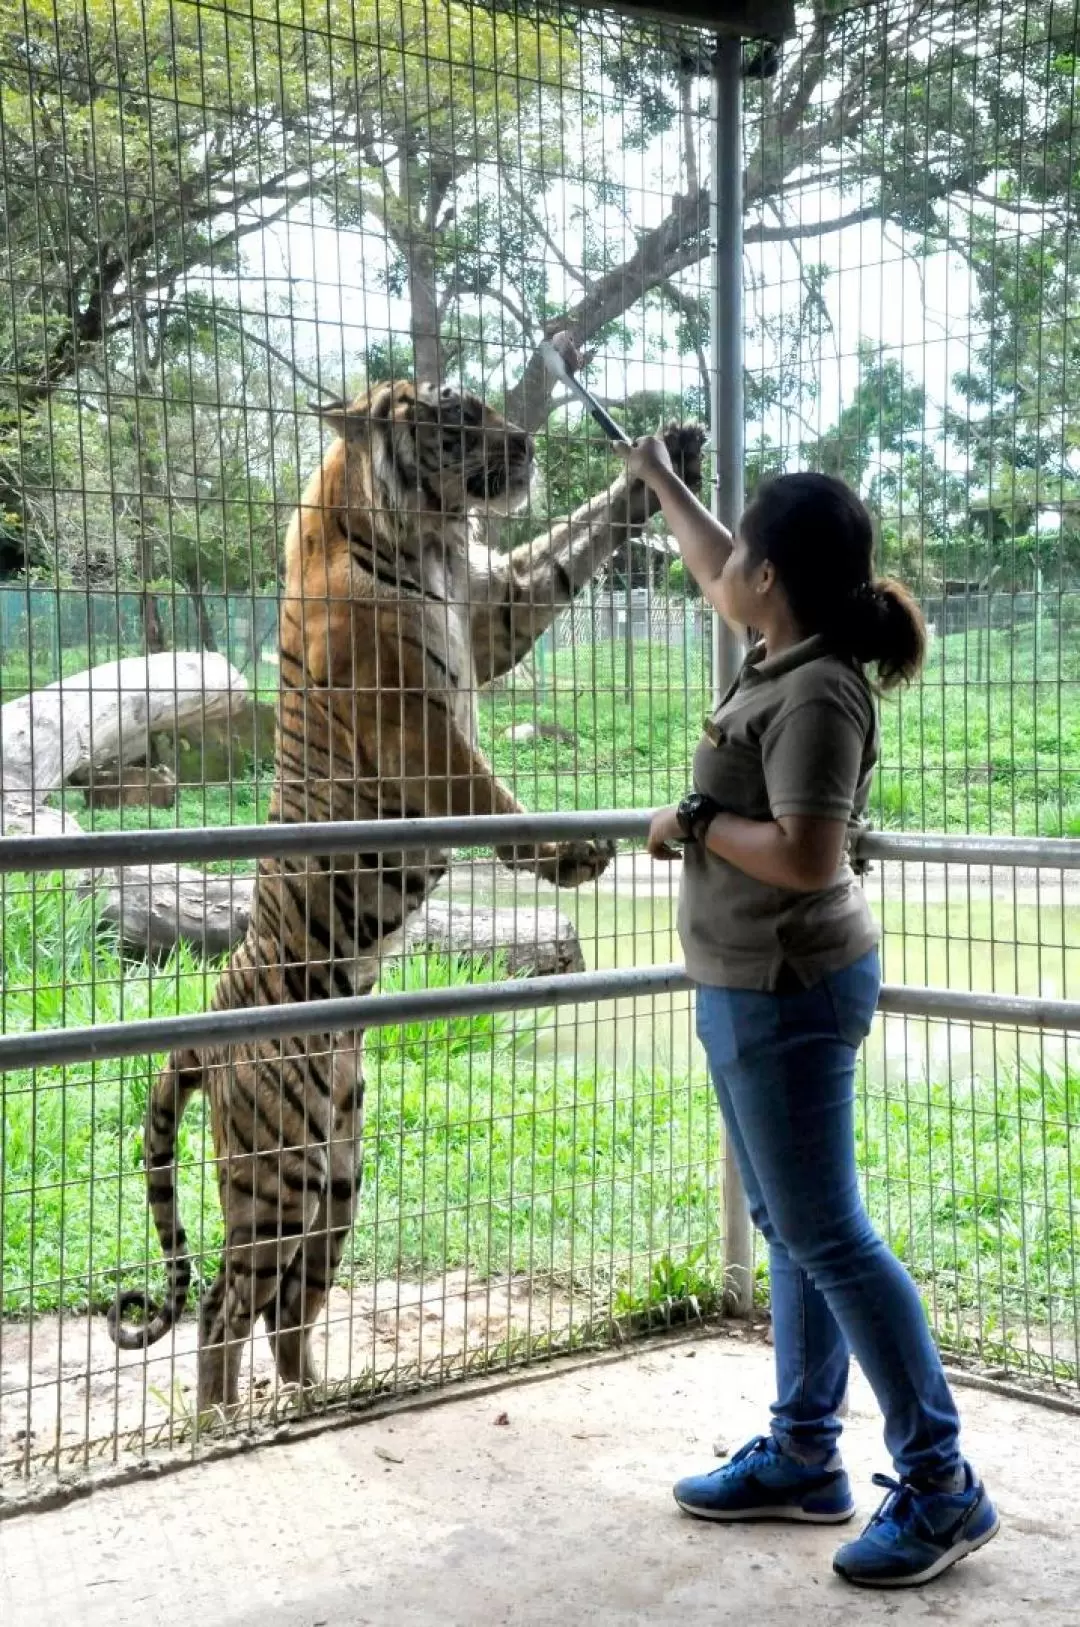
x=378 y=1011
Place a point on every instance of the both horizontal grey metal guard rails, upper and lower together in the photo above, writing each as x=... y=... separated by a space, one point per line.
x=92 y=852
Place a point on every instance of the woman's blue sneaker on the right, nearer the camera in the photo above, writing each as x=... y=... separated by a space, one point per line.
x=917 y=1535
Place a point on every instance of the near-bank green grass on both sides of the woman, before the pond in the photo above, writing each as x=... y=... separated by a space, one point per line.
x=479 y=1154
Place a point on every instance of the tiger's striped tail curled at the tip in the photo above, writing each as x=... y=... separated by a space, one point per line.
x=176 y=1084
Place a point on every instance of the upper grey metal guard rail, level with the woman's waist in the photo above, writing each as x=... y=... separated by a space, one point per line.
x=97 y=850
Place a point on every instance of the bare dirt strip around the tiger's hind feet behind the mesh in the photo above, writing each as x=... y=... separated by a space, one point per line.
x=63 y=1381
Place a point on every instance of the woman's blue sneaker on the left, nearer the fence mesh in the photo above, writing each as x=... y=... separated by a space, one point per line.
x=762 y=1483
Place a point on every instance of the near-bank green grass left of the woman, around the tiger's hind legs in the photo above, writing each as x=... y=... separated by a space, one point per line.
x=472 y=1154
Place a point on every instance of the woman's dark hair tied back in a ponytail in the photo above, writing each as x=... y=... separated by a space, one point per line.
x=819 y=538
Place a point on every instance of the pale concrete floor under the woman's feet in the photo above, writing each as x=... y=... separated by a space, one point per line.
x=541 y=1504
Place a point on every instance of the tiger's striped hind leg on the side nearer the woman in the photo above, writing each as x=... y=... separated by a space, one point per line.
x=310 y=1276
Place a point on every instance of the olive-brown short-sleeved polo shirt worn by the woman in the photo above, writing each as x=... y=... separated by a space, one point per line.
x=795 y=735
